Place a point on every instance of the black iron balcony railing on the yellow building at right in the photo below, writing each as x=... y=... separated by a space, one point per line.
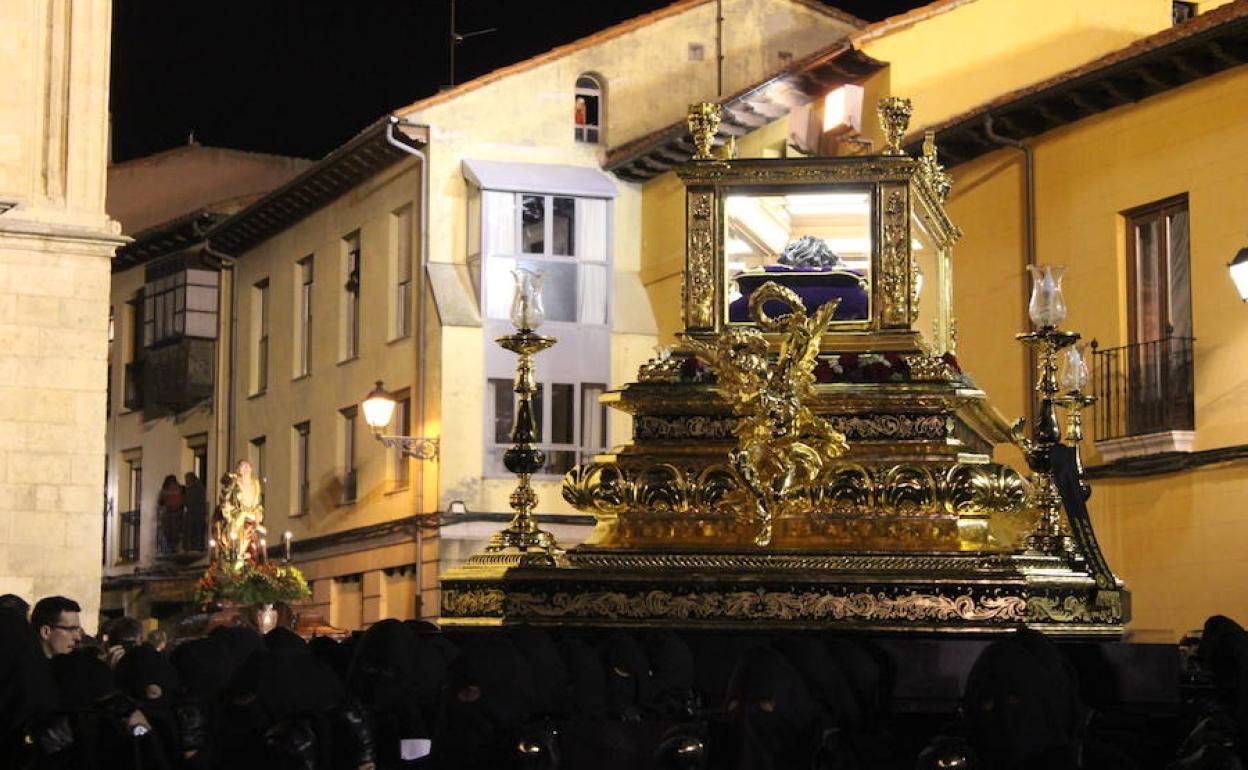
x=1145 y=387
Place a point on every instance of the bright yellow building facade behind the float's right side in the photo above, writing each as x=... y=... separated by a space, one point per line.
x=1145 y=128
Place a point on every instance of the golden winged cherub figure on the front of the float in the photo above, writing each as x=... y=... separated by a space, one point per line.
x=782 y=445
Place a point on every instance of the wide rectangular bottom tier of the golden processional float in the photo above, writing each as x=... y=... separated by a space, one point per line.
x=963 y=593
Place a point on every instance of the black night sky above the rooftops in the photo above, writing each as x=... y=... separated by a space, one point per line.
x=301 y=77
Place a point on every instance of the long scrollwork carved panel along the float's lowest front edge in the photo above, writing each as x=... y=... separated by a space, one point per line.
x=763 y=605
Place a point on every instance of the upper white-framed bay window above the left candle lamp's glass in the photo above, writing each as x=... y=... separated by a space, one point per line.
x=565 y=239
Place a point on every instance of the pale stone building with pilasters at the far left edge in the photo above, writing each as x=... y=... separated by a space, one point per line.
x=56 y=245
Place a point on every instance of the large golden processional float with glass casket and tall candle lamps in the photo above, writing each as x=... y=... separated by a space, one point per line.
x=811 y=455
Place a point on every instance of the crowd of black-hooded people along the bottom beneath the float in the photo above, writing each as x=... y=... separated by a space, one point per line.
x=404 y=694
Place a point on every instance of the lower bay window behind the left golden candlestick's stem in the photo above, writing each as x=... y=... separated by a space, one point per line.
x=571 y=426
